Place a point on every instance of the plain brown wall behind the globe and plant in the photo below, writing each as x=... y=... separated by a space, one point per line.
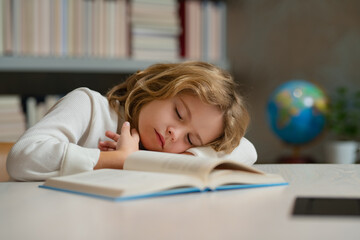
x=273 y=41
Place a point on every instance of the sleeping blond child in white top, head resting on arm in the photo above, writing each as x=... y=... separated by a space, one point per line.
x=186 y=107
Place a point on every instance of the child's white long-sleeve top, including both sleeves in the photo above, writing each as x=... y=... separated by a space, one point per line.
x=66 y=140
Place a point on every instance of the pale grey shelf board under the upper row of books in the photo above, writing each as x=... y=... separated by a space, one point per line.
x=53 y=64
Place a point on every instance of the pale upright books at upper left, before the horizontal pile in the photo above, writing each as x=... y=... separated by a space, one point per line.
x=71 y=28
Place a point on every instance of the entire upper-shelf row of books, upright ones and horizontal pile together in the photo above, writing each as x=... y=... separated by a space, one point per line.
x=141 y=29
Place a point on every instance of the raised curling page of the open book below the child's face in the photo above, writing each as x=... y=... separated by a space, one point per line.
x=169 y=163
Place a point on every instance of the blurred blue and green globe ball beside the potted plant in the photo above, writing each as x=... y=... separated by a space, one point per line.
x=297 y=111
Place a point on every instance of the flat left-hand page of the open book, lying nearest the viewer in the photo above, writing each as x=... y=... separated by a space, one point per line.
x=120 y=183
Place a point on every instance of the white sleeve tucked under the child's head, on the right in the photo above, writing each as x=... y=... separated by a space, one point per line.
x=245 y=152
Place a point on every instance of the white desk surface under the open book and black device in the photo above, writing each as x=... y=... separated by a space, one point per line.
x=28 y=212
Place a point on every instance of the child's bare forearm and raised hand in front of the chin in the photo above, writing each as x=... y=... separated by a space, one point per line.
x=127 y=143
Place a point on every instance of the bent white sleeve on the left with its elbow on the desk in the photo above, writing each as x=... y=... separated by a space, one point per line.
x=50 y=148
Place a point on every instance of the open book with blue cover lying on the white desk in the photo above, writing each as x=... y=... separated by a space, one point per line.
x=148 y=174
